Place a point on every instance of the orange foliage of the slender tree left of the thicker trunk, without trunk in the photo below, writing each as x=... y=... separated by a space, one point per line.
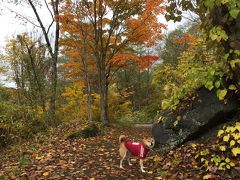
x=75 y=42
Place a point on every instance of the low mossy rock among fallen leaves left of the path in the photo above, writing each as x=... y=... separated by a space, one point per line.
x=90 y=131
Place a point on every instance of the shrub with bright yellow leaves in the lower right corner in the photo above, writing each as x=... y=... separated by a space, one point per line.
x=224 y=154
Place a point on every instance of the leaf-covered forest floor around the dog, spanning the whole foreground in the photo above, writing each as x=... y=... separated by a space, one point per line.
x=52 y=157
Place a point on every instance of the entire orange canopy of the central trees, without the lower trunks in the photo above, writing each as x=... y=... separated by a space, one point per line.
x=142 y=28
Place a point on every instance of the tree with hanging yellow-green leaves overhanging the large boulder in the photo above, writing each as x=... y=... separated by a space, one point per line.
x=220 y=20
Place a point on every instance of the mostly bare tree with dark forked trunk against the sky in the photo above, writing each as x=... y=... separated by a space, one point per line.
x=52 y=43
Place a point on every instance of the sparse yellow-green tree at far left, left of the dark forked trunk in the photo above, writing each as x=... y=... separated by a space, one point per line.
x=29 y=65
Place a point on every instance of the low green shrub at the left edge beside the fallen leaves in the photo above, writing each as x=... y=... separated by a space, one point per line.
x=18 y=122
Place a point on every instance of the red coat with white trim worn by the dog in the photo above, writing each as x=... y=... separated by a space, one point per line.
x=136 y=149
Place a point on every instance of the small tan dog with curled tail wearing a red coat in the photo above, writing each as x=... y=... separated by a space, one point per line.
x=136 y=149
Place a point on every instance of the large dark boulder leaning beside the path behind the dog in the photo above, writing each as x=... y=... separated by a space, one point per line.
x=201 y=114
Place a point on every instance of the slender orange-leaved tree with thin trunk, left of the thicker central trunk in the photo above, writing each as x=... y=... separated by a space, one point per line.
x=80 y=64
